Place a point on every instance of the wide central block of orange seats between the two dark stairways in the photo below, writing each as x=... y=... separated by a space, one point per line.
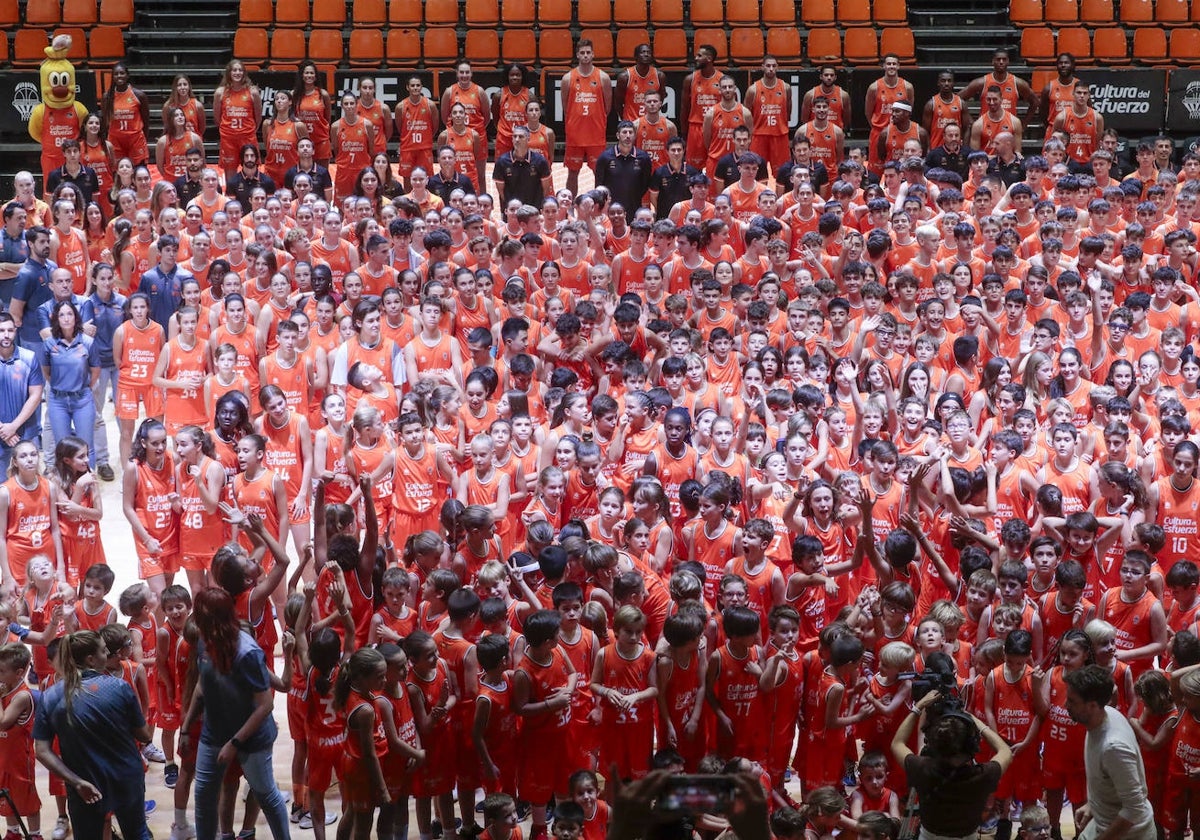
x=544 y=33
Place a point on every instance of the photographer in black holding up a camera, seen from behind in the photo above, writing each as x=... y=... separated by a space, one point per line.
x=952 y=789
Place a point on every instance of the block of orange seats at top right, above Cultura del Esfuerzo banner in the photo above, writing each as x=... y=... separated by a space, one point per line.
x=1109 y=32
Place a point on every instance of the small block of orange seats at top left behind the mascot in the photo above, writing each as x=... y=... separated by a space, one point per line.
x=95 y=28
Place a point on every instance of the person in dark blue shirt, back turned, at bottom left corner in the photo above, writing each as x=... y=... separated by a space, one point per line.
x=99 y=723
